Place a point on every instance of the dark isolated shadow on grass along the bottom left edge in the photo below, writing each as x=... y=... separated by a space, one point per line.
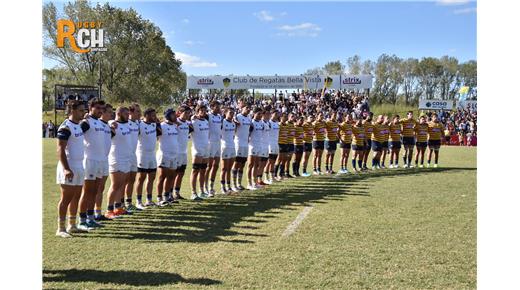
x=131 y=278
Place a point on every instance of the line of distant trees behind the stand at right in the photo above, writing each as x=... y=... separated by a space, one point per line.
x=408 y=79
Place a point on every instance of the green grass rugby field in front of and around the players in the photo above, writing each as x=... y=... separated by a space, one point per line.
x=401 y=229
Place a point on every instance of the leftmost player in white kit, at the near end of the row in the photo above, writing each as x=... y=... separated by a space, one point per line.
x=70 y=172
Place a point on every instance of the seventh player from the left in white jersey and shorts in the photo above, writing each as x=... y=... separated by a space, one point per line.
x=167 y=158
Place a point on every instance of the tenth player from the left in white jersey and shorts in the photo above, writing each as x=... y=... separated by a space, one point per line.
x=215 y=132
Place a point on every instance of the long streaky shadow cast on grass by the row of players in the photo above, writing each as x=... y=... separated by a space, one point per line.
x=212 y=220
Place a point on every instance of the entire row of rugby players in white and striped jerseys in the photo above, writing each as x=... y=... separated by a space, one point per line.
x=123 y=145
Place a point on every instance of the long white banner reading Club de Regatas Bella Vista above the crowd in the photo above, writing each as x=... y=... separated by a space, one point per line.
x=280 y=82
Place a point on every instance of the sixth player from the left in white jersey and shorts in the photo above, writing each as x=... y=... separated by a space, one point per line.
x=149 y=130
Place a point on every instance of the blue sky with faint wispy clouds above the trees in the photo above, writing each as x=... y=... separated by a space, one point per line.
x=289 y=38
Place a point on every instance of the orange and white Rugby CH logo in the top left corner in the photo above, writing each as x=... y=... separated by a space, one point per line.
x=85 y=36
